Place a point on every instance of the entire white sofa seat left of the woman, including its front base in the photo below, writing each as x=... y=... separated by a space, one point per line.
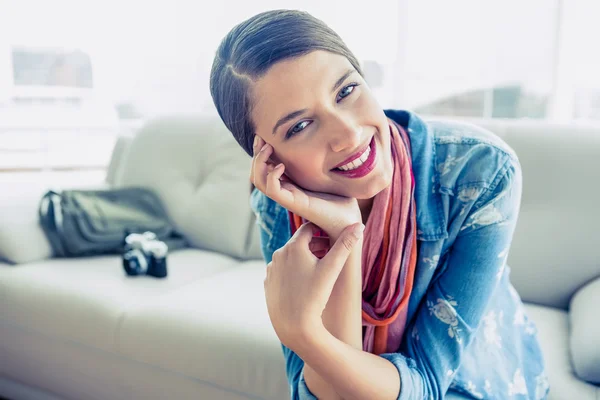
x=81 y=323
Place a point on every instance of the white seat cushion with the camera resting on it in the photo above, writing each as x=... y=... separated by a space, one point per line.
x=84 y=299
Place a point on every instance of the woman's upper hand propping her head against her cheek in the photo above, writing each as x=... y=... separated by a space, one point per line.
x=329 y=212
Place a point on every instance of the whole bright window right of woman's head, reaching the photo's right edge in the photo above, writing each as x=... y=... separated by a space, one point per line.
x=508 y=59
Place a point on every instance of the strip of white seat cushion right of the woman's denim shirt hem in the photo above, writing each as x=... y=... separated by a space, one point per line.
x=553 y=333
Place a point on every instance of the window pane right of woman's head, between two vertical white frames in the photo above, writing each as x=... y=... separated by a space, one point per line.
x=483 y=59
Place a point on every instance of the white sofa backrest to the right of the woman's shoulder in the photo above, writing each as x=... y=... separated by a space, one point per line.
x=556 y=248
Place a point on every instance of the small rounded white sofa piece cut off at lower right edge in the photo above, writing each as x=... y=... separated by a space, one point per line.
x=585 y=332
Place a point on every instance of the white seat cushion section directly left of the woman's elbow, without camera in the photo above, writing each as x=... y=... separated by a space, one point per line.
x=216 y=331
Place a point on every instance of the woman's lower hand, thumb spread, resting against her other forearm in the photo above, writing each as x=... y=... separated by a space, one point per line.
x=298 y=285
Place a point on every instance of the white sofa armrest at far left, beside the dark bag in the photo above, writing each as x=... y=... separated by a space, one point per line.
x=22 y=238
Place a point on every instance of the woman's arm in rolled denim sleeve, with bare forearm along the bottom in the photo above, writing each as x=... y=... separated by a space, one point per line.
x=447 y=318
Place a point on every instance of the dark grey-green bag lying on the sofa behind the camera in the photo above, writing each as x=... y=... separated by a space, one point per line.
x=89 y=222
